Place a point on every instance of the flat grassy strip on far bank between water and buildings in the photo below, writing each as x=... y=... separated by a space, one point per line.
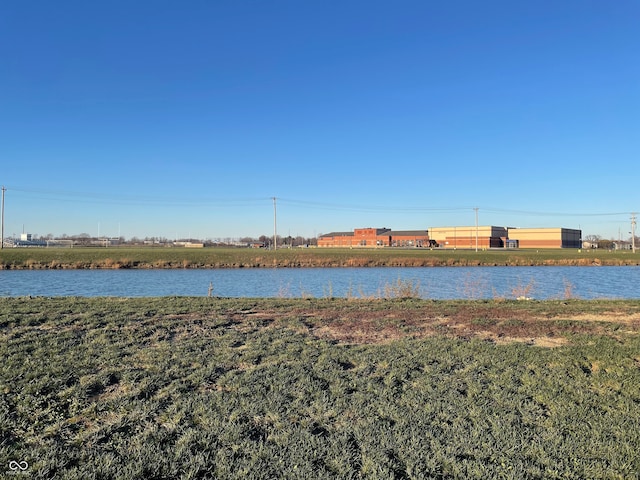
x=154 y=257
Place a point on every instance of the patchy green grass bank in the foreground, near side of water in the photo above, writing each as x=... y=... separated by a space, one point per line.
x=319 y=388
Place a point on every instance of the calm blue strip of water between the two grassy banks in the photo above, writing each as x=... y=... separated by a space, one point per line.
x=433 y=282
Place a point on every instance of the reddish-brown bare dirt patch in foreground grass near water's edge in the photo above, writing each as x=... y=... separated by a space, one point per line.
x=492 y=321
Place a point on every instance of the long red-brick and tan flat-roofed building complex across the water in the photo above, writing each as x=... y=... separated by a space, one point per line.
x=465 y=237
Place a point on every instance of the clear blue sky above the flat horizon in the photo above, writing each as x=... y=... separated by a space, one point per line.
x=185 y=118
